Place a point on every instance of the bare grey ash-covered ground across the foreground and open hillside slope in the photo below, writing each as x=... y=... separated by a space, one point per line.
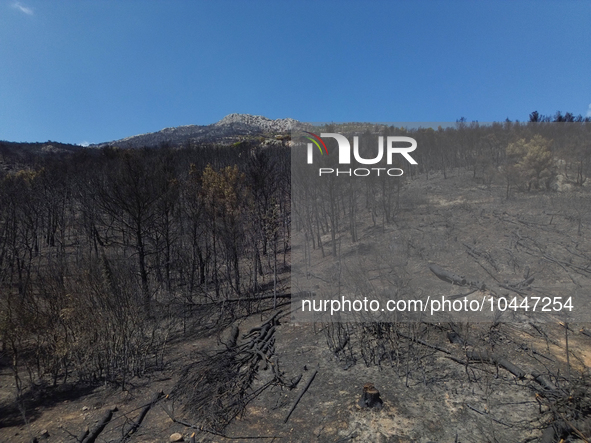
x=429 y=393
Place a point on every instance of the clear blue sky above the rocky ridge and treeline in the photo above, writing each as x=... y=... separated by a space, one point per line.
x=93 y=71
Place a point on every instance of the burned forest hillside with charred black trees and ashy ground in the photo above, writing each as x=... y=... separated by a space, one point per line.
x=152 y=294
